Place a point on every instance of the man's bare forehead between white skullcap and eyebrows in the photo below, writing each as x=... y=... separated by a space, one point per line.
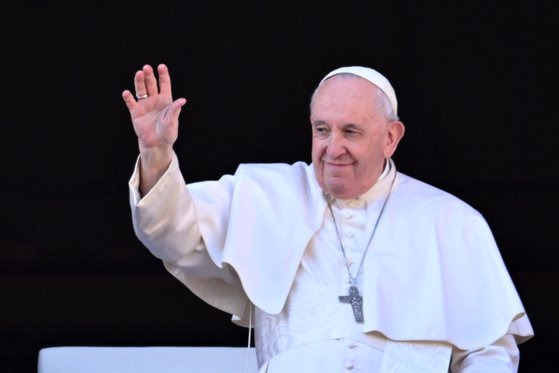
x=343 y=95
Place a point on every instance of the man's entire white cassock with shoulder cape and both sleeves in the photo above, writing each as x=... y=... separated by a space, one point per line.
x=436 y=294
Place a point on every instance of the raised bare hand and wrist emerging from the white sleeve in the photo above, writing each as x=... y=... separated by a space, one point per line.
x=155 y=117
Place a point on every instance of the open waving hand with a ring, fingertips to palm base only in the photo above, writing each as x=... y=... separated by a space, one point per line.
x=155 y=117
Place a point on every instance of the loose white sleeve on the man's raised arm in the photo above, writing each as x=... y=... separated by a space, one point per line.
x=165 y=221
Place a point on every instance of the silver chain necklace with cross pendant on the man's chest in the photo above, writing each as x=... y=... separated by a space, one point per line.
x=354 y=298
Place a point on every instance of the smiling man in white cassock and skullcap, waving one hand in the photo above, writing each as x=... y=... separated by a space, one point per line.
x=347 y=263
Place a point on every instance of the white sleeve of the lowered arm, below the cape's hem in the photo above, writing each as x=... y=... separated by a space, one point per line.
x=501 y=356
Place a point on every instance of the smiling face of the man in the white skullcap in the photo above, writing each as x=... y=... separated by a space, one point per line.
x=351 y=136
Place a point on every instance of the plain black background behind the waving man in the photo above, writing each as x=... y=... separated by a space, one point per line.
x=476 y=84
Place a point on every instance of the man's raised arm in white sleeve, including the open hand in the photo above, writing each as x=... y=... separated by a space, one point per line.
x=163 y=211
